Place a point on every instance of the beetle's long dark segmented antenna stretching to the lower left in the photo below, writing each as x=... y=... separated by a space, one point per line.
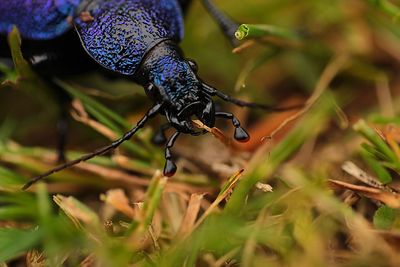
x=153 y=111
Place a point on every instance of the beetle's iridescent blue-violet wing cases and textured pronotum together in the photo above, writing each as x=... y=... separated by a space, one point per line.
x=118 y=35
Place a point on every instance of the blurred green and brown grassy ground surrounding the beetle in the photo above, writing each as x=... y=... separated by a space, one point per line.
x=319 y=186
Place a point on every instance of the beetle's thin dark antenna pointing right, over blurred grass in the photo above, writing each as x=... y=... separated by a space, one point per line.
x=214 y=92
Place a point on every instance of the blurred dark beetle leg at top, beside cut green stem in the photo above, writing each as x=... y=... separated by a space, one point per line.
x=227 y=25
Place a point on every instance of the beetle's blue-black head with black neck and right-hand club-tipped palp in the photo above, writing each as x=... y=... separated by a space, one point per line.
x=172 y=82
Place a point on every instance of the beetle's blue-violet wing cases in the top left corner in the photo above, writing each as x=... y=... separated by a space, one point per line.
x=37 y=19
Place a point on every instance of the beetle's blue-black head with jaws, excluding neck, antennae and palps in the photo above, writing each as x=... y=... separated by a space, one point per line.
x=177 y=86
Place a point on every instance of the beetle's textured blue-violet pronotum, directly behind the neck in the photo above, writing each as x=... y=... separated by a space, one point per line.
x=117 y=34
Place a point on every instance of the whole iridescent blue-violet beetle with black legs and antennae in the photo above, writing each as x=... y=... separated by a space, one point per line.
x=135 y=38
